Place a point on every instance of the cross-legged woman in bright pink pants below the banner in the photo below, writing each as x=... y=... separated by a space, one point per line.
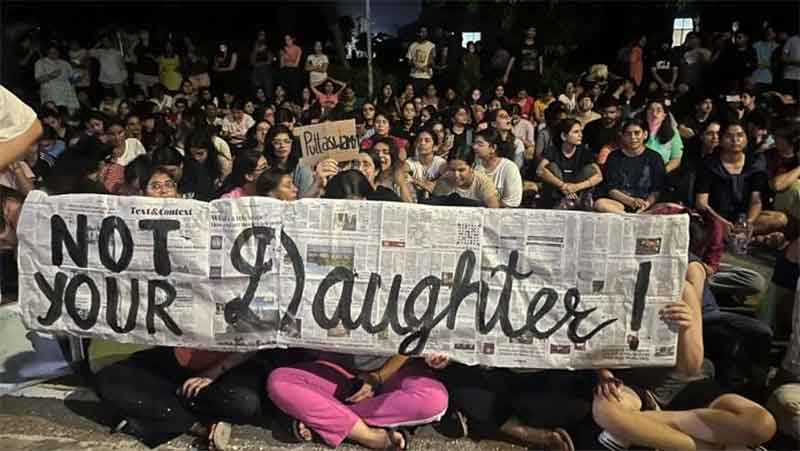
x=361 y=398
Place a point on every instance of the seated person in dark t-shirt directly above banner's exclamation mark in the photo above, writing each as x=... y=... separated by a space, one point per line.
x=633 y=175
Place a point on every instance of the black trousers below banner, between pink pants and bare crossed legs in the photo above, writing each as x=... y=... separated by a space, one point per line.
x=488 y=397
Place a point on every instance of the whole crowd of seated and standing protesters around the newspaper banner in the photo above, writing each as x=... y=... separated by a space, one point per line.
x=710 y=128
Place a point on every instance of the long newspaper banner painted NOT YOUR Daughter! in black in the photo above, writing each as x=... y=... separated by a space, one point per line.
x=509 y=288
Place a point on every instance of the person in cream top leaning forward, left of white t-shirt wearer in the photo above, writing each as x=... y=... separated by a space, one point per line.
x=462 y=180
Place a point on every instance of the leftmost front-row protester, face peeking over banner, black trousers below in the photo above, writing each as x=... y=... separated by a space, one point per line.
x=164 y=392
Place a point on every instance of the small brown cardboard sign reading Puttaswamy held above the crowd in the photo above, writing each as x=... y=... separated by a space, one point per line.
x=336 y=140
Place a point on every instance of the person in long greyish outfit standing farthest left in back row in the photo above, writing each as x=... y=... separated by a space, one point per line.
x=55 y=76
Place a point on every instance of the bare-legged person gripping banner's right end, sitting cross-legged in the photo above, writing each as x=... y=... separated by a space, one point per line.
x=695 y=415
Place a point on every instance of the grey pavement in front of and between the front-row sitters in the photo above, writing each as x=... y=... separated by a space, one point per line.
x=53 y=417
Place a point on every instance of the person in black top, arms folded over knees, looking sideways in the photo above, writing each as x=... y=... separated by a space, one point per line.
x=568 y=170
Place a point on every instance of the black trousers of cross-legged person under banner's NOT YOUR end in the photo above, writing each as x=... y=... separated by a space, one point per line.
x=143 y=389
